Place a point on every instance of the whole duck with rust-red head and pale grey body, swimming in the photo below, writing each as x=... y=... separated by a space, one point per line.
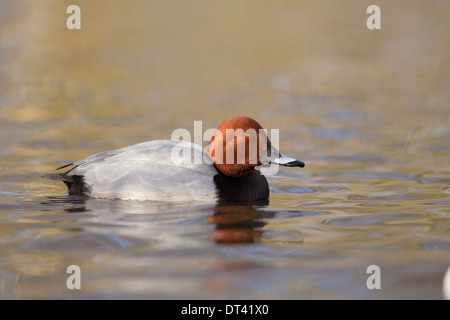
x=166 y=170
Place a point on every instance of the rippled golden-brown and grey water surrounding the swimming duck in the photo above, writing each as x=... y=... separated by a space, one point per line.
x=367 y=110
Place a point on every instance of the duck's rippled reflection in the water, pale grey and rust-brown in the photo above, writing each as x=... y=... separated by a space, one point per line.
x=234 y=223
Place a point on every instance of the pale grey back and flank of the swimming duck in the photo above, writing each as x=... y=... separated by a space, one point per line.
x=146 y=171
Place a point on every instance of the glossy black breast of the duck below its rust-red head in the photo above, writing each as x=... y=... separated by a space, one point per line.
x=249 y=188
